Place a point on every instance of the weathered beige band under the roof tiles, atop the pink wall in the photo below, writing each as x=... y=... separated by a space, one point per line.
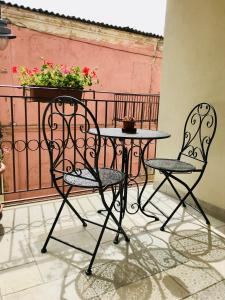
x=75 y=30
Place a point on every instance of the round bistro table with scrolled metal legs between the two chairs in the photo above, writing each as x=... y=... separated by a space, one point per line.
x=141 y=134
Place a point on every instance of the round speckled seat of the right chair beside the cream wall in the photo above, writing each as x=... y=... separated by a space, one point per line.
x=172 y=165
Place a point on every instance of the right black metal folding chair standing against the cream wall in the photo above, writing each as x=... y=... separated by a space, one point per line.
x=199 y=131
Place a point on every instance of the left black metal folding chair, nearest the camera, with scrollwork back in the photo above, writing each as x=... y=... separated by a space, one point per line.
x=74 y=161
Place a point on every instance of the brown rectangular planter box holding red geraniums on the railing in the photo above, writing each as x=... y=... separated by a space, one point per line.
x=43 y=94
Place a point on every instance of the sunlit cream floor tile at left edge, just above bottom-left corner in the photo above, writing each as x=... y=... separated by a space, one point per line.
x=19 y=278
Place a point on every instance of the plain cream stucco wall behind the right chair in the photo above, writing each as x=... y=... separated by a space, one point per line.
x=194 y=71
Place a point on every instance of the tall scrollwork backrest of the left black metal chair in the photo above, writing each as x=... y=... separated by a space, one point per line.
x=66 y=122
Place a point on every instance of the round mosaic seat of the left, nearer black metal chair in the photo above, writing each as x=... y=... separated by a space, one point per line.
x=85 y=179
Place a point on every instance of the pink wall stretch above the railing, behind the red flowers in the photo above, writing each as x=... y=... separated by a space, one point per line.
x=120 y=68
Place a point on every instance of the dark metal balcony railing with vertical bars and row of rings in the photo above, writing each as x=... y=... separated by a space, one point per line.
x=27 y=174
